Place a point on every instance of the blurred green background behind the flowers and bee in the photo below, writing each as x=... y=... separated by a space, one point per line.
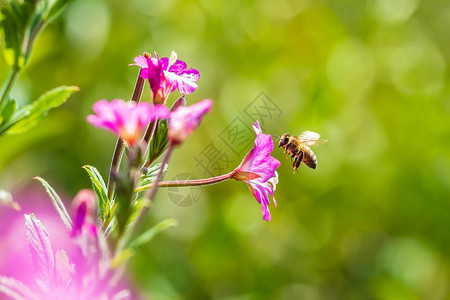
x=372 y=222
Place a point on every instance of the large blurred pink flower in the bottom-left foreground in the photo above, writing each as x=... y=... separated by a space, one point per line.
x=83 y=277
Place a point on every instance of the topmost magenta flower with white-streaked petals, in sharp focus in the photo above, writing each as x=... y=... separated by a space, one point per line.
x=167 y=74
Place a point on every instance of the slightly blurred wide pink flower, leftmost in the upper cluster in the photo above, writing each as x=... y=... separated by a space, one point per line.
x=126 y=119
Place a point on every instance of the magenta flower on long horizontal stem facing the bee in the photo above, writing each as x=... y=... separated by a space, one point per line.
x=258 y=170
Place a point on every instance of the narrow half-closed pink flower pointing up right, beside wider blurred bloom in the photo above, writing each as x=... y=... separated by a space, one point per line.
x=185 y=119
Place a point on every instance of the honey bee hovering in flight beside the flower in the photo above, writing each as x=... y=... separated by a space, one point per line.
x=298 y=148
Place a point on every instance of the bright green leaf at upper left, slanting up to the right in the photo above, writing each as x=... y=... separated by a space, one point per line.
x=41 y=106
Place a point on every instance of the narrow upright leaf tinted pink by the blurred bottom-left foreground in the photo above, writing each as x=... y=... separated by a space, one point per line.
x=40 y=249
